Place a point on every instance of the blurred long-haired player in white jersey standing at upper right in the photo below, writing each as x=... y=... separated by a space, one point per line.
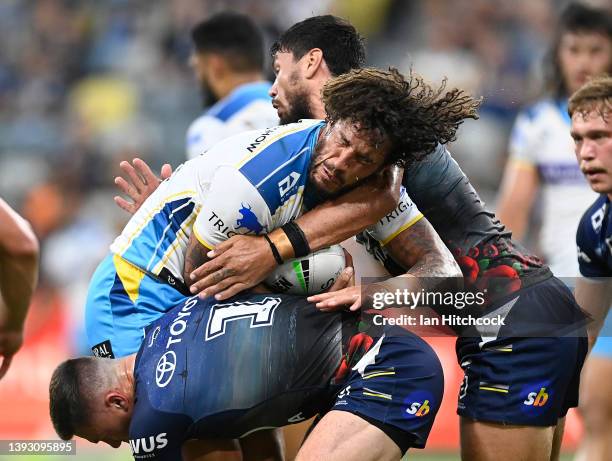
x=541 y=150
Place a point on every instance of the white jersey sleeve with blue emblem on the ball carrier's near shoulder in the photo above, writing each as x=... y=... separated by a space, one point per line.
x=231 y=205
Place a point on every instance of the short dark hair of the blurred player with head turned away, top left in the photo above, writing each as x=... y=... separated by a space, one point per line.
x=233 y=35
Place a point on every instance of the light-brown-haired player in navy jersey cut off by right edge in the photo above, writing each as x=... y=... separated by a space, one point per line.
x=591 y=111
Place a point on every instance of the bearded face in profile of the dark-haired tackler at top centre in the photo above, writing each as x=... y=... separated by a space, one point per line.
x=290 y=95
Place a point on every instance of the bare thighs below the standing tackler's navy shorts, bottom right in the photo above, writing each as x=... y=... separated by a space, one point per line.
x=482 y=441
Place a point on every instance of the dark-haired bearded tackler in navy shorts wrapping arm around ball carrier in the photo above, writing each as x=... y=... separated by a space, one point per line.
x=497 y=419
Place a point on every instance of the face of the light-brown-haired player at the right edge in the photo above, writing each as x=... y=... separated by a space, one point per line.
x=593 y=137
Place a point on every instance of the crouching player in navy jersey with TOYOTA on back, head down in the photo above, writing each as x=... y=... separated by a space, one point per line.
x=210 y=370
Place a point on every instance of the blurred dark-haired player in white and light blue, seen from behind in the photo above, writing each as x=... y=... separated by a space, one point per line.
x=228 y=61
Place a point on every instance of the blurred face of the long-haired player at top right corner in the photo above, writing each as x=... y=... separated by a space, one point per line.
x=583 y=55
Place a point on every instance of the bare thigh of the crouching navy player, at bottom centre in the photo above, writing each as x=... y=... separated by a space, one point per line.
x=343 y=436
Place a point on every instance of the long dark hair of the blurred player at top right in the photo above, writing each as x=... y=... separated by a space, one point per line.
x=575 y=18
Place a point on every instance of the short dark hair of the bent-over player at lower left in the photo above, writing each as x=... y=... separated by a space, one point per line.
x=71 y=387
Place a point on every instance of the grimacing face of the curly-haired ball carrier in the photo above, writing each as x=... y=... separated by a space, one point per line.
x=344 y=155
